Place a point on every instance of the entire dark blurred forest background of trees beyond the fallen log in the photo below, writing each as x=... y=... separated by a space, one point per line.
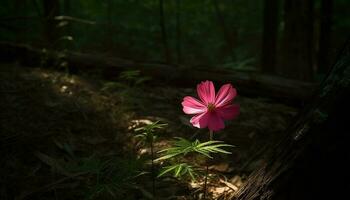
x=296 y=39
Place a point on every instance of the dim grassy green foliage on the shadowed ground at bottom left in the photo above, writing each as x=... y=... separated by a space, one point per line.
x=99 y=177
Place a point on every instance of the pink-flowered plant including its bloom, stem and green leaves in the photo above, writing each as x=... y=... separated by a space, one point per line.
x=209 y=112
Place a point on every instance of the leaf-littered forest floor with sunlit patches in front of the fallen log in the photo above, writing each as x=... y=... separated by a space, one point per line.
x=72 y=137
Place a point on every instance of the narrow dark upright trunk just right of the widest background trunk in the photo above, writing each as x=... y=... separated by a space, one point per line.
x=325 y=36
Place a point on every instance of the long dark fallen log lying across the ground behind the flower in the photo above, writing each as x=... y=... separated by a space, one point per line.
x=248 y=83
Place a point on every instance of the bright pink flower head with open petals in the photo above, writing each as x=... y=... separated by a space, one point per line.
x=211 y=110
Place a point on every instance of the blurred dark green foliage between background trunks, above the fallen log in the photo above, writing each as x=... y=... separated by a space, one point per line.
x=131 y=29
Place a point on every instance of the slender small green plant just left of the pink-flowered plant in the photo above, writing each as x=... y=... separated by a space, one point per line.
x=147 y=135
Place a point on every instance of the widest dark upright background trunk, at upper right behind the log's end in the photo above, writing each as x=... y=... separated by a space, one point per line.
x=297 y=47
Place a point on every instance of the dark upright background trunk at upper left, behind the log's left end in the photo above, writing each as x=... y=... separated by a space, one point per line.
x=51 y=9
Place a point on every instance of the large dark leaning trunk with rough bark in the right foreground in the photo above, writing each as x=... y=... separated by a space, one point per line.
x=313 y=160
